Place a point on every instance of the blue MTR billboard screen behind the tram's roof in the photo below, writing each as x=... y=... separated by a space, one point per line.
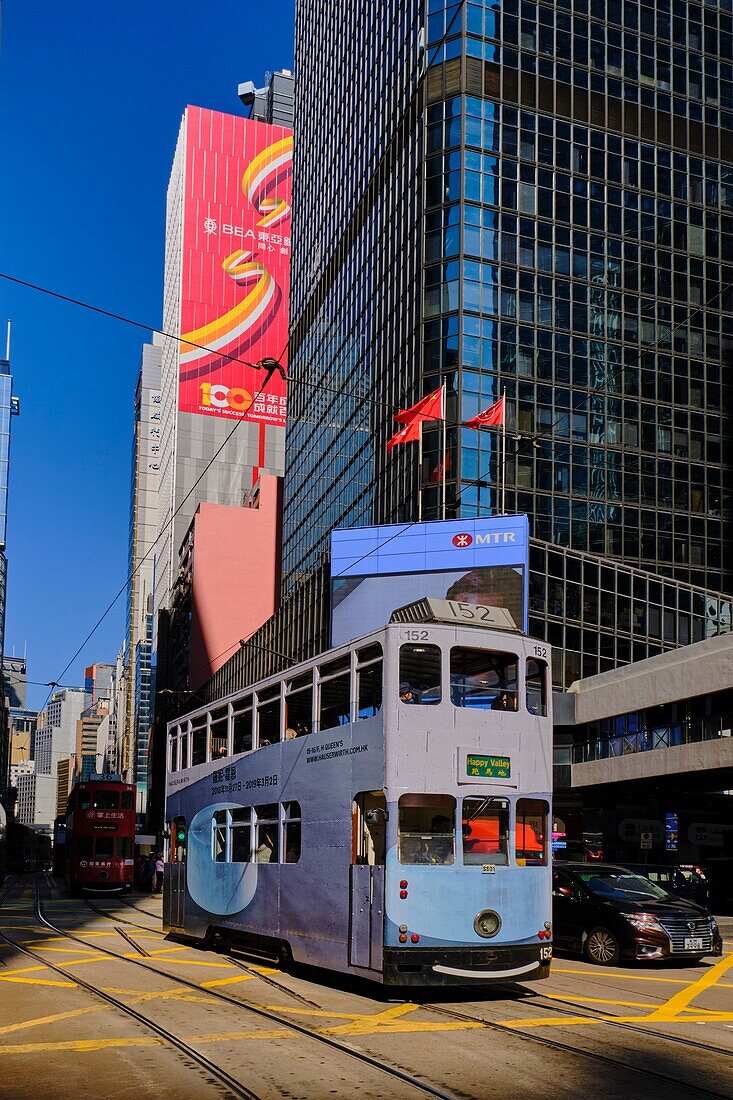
x=375 y=570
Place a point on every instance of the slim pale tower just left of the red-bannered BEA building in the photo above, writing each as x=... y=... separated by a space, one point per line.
x=134 y=724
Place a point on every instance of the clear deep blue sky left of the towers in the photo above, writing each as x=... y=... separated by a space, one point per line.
x=91 y=102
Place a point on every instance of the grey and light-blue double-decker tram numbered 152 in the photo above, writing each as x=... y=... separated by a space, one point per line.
x=382 y=810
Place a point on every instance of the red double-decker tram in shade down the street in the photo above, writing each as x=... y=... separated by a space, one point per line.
x=101 y=837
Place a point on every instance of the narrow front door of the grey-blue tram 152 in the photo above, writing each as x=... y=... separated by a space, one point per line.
x=367 y=882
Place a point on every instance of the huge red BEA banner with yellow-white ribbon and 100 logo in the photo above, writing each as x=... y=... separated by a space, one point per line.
x=236 y=266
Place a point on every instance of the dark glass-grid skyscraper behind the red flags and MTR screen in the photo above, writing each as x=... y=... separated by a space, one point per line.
x=534 y=201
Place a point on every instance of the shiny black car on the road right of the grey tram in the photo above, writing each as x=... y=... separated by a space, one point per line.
x=609 y=912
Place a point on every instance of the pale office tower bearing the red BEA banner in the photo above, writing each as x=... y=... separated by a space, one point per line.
x=227 y=268
